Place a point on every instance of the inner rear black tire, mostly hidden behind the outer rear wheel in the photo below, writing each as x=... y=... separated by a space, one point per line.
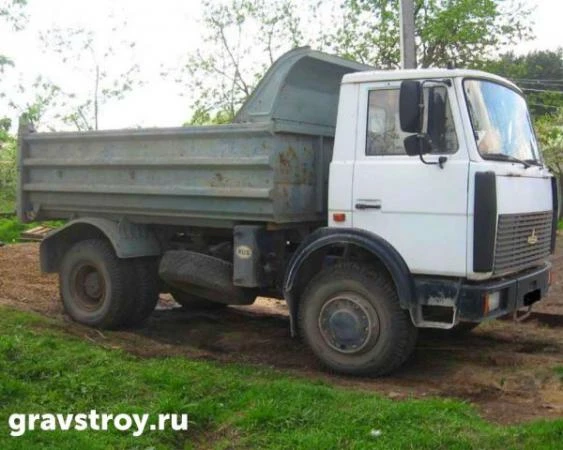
x=144 y=282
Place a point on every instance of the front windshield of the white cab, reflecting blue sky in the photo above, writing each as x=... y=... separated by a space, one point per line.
x=500 y=120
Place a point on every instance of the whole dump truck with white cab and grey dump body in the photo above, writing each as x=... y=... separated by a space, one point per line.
x=374 y=202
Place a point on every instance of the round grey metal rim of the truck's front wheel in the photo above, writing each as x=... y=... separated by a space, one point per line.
x=348 y=323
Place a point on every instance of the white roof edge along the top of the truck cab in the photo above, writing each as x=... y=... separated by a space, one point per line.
x=395 y=75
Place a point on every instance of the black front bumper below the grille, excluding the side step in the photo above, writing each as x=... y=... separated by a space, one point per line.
x=518 y=291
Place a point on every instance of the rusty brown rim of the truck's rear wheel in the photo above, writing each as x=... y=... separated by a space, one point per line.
x=88 y=286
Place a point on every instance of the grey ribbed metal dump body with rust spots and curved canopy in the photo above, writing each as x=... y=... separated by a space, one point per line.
x=269 y=166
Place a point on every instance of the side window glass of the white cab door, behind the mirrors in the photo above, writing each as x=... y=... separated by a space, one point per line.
x=384 y=135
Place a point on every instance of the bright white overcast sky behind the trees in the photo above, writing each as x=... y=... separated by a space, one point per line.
x=164 y=32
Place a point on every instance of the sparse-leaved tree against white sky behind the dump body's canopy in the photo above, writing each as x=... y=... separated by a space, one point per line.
x=242 y=38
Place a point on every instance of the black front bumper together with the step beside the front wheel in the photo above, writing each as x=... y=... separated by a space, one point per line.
x=442 y=302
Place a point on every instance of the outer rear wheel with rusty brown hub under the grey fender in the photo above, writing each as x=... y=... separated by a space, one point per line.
x=93 y=284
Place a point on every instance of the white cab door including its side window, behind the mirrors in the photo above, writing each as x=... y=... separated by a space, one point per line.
x=420 y=209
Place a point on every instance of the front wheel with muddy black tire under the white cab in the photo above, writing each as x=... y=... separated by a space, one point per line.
x=350 y=317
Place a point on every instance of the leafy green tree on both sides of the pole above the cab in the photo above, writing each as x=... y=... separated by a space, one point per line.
x=461 y=32
